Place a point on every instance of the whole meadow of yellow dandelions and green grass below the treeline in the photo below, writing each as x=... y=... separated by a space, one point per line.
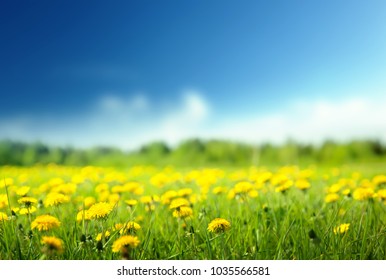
x=144 y=212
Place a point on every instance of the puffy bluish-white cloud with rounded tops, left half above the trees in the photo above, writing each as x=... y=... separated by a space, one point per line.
x=115 y=120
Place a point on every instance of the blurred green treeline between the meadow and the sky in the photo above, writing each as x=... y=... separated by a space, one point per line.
x=196 y=152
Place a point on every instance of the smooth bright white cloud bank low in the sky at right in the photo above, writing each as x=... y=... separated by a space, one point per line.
x=313 y=122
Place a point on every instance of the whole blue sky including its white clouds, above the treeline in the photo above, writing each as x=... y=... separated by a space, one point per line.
x=124 y=73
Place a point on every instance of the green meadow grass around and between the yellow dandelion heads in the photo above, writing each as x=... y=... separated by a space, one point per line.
x=295 y=224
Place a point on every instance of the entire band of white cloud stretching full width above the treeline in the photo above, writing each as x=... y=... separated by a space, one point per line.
x=131 y=122
